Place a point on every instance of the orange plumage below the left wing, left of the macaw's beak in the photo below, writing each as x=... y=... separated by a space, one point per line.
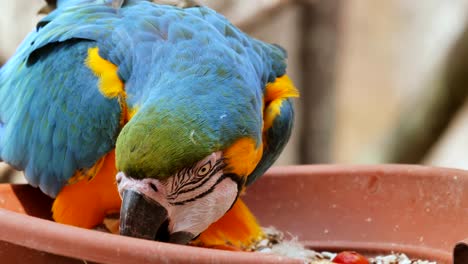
x=86 y=202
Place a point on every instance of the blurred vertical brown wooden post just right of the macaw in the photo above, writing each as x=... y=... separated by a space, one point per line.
x=320 y=31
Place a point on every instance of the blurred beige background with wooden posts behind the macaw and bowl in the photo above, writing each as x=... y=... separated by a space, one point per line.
x=380 y=81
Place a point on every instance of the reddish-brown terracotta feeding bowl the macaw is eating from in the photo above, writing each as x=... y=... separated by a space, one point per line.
x=420 y=211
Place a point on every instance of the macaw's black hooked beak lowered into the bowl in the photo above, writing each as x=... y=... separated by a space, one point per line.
x=142 y=217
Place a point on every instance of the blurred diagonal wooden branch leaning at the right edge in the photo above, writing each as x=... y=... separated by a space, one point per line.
x=424 y=120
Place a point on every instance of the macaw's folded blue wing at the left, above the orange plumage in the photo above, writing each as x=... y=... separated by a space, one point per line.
x=55 y=121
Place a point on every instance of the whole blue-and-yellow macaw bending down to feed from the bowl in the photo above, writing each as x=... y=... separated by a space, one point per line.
x=165 y=114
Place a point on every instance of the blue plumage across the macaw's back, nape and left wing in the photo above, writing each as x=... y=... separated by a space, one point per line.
x=53 y=120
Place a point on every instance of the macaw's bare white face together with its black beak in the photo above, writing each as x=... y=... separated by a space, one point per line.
x=179 y=208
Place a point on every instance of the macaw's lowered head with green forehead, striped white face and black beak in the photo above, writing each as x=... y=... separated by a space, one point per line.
x=183 y=160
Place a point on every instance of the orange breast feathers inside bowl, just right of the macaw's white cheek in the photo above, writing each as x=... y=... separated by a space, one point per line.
x=238 y=229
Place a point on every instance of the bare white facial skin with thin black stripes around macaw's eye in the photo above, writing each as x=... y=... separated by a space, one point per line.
x=194 y=197
